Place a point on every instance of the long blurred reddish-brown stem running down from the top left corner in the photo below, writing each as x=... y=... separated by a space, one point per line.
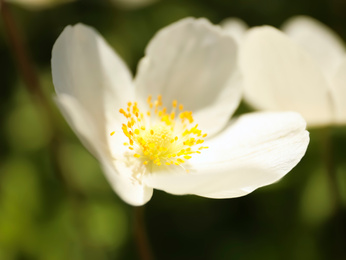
x=33 y=86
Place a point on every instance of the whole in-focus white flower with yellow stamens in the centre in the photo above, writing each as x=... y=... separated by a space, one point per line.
x=188 y=68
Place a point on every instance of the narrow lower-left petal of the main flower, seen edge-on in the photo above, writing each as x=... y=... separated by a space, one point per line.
x=116 y=172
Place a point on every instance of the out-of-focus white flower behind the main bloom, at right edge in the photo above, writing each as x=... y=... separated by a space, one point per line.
x=302 y=69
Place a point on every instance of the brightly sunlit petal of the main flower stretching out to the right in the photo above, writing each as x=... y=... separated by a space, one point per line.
x=255 y=150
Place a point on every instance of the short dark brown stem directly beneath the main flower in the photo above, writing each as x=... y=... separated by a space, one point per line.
x=140 y=235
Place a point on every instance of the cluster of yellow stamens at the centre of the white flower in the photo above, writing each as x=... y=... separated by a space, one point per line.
x=159 y=137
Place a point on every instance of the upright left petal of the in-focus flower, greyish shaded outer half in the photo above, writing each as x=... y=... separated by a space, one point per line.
x=86 y=68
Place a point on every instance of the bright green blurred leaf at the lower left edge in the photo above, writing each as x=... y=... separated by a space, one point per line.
x=19 y=202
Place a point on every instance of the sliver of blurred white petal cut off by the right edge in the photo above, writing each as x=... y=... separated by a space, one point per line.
x=339 y=93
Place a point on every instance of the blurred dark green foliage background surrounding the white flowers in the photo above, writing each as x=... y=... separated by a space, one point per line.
x=56 y=204
